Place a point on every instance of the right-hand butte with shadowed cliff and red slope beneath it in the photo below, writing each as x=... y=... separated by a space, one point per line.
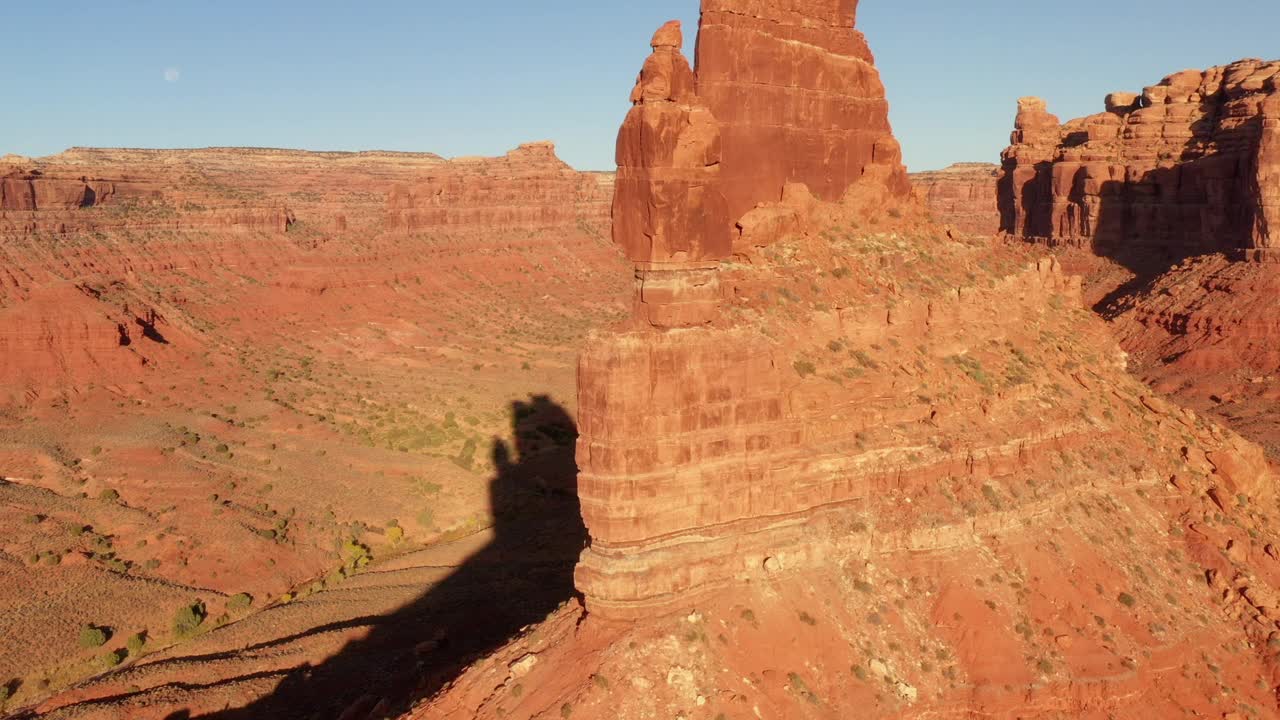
x=1176 y=190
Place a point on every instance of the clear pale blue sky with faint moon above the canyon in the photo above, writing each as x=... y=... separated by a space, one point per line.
x=469 y=79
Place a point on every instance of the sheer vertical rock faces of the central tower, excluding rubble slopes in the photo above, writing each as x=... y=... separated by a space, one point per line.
x=684 y=413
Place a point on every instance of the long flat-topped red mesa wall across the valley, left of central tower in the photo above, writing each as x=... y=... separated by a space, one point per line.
x=106 y=250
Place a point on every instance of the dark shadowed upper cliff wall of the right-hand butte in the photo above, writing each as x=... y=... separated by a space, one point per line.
x=1186 y=167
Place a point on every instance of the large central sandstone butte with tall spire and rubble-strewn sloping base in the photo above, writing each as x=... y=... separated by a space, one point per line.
x=852 y=466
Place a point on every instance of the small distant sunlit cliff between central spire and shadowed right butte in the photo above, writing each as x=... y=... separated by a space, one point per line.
x=962 y=197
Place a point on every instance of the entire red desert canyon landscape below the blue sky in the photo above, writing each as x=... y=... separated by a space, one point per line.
x=760 y=426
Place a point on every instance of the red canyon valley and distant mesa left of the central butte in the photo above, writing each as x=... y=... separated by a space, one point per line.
x=241 y=413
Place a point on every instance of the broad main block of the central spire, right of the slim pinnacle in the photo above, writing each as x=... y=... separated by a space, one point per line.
x=798 y=97
